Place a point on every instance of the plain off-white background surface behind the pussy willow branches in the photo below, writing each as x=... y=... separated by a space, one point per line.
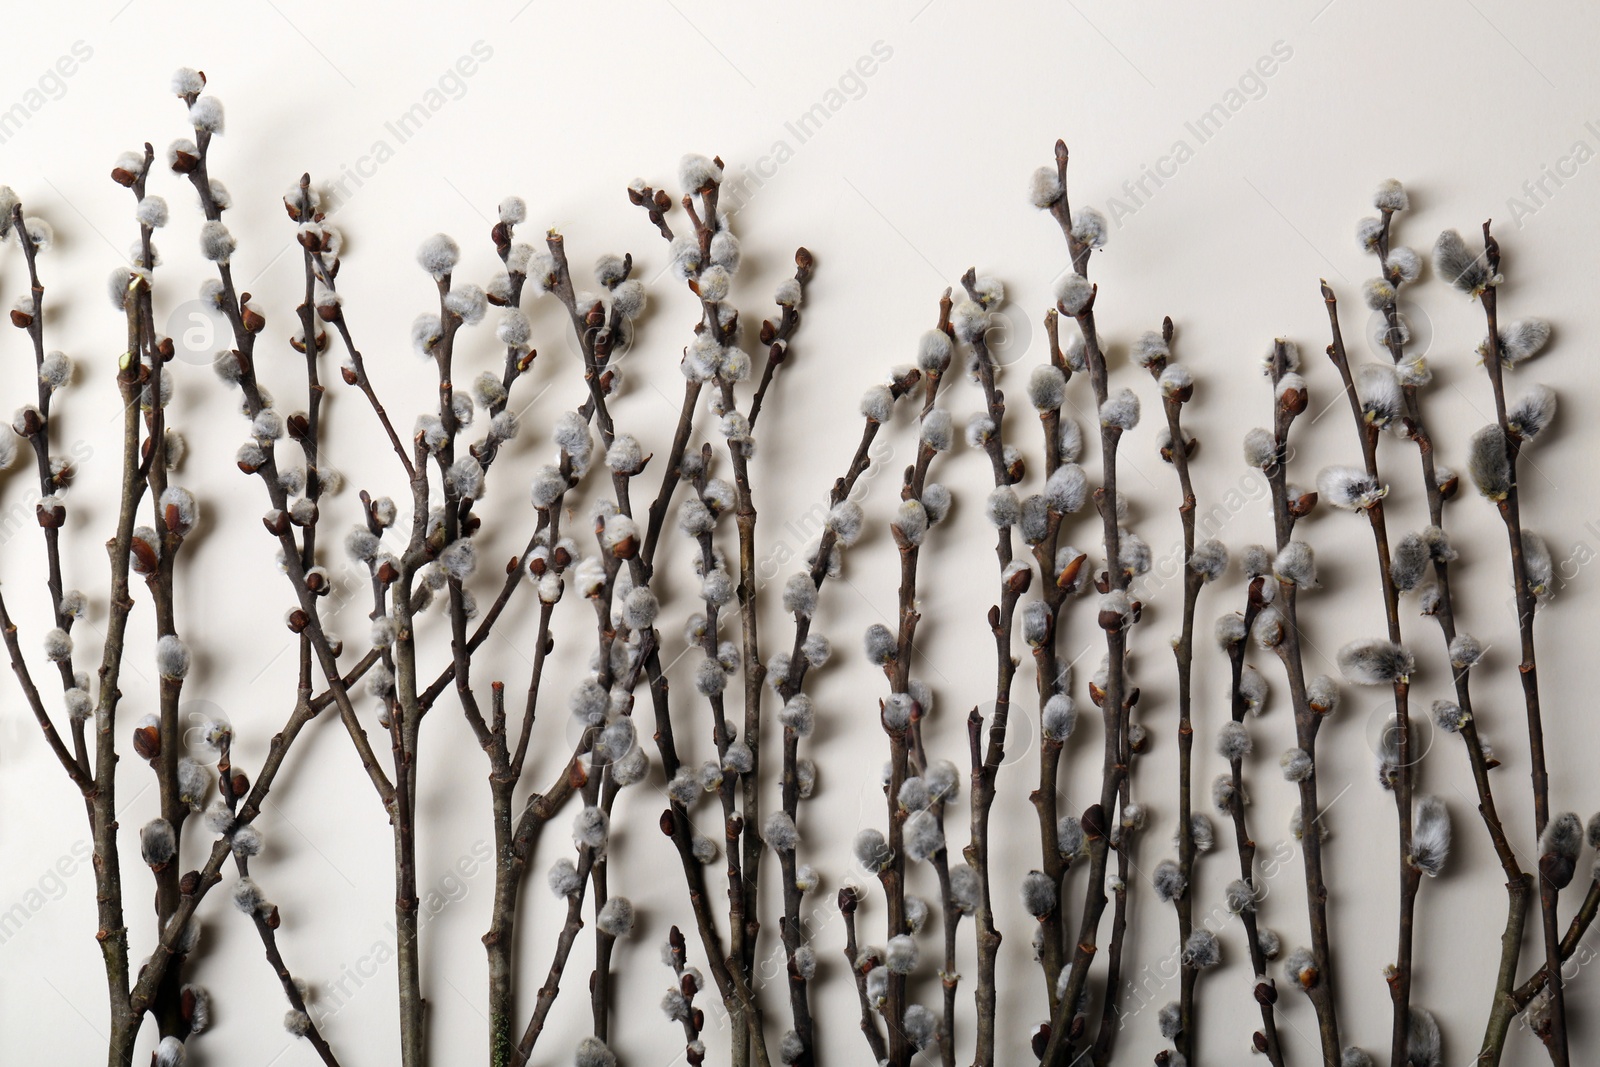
x=918 y=172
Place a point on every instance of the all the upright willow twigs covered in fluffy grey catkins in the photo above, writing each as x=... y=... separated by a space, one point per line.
x=1038 y=585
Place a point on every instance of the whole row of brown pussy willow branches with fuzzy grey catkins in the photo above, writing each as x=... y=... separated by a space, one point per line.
x=606 y=498
